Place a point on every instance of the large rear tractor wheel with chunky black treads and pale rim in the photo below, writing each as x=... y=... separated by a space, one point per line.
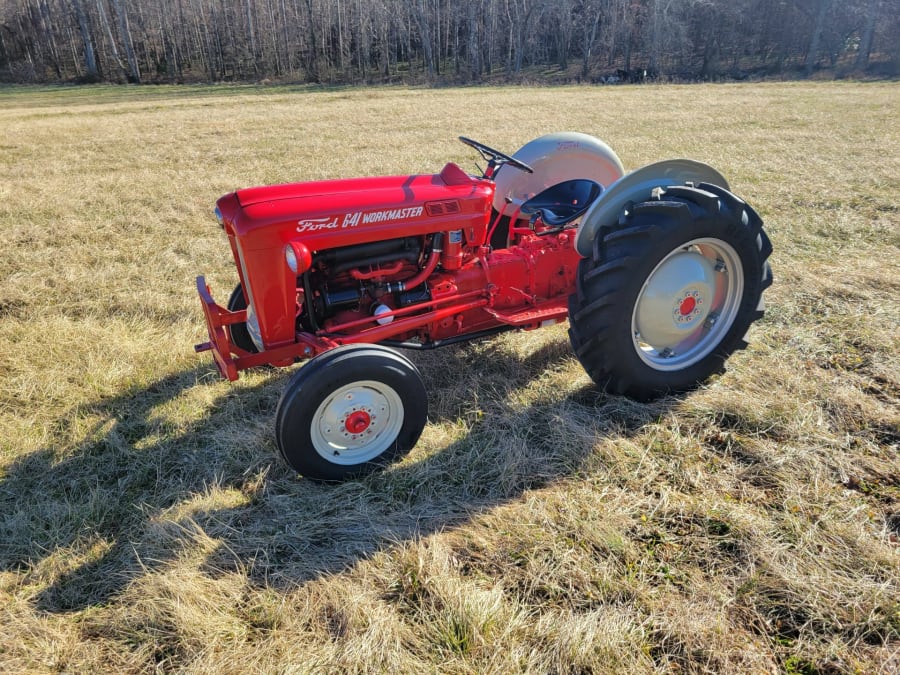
x=670 y=291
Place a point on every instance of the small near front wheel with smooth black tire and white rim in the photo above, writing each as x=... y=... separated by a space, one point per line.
x=350 y=411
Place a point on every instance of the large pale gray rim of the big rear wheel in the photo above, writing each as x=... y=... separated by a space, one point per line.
x=688 y=304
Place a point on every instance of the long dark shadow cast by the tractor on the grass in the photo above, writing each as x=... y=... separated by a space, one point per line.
x=132 y=498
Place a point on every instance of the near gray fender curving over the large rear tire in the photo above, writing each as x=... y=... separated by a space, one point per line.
x=637 y=186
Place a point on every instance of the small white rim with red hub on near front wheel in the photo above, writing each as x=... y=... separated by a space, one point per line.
x=357 y=422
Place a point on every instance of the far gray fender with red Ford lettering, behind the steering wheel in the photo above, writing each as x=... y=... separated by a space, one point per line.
x=556 y=158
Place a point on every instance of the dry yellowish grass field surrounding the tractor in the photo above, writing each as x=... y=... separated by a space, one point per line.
x=751 y=526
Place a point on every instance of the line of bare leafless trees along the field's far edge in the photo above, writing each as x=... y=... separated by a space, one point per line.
x=459 y=41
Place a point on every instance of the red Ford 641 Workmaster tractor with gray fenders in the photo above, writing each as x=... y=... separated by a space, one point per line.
x=660 y=273
